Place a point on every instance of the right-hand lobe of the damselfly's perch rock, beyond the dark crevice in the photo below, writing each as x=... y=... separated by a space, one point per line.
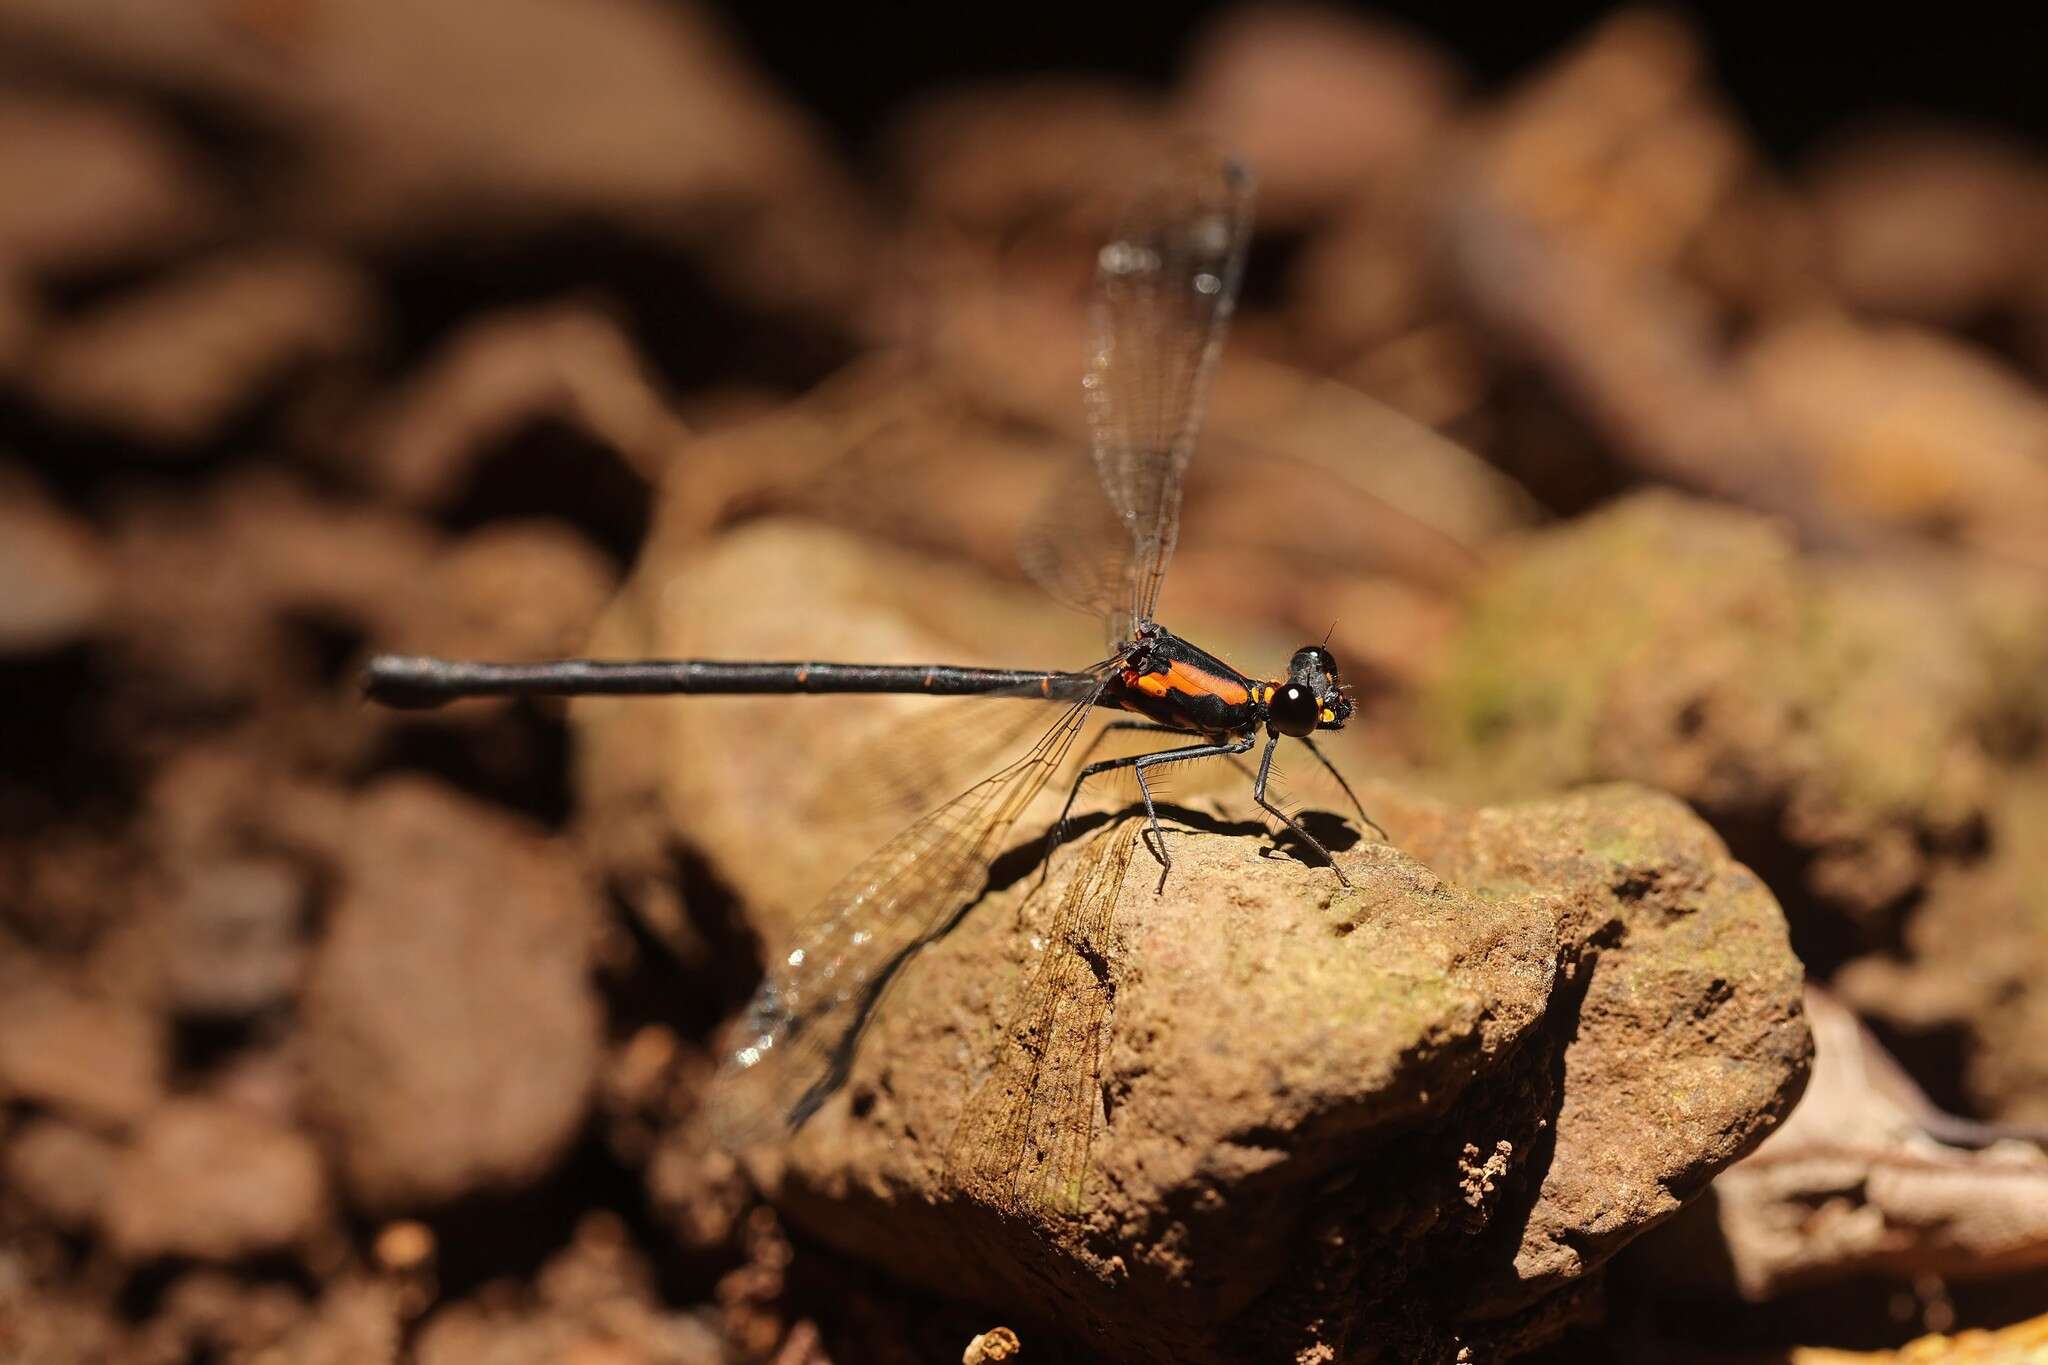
x=1689 y=1045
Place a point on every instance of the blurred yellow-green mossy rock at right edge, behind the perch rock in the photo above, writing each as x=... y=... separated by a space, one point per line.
x=1861 y=728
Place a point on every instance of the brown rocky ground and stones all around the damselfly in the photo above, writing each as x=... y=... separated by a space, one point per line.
x=335 y=1034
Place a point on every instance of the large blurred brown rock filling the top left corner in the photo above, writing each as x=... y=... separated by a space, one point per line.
x=499 y=116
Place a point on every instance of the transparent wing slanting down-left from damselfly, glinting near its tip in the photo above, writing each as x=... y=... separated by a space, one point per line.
x=794 y=1043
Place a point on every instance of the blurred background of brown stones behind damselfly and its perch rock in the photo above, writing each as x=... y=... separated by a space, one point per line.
x=1644 y=394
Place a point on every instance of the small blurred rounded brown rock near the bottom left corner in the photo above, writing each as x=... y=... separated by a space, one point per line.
x=208 y=1182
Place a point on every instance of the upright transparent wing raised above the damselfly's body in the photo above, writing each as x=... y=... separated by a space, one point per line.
x=1164 y=294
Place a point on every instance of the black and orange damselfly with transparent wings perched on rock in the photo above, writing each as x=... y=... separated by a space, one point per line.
x=1166 y=288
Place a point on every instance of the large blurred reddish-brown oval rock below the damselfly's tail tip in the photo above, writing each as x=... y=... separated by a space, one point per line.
x=452 y=1026
